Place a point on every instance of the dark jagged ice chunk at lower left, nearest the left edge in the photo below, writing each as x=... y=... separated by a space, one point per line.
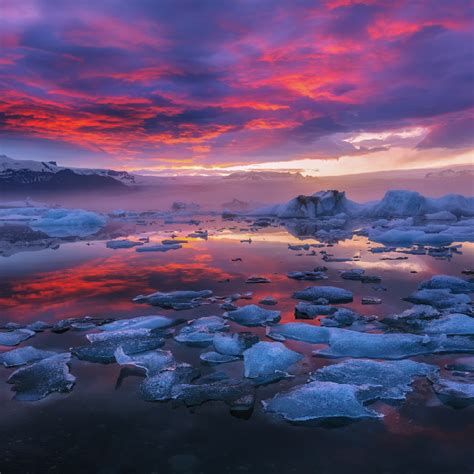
x=38 y=380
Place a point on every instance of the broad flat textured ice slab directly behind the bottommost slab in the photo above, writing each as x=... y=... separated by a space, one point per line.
x=390 y=380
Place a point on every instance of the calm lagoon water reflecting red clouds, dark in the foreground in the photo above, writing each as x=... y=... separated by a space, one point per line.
x=103 y=426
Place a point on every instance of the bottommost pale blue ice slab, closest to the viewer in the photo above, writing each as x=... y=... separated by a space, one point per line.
x=320 y=401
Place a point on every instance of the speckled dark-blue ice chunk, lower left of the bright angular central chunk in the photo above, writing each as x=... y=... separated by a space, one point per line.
x=159 y=386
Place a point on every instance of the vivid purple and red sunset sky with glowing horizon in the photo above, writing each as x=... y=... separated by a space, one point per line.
x=325 y=87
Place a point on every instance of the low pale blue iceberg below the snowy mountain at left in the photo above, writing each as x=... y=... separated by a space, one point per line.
x=69 y=222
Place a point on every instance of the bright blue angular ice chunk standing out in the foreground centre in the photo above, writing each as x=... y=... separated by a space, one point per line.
x=265 y=358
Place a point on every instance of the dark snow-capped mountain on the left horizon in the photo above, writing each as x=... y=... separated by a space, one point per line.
x=18 y=175
